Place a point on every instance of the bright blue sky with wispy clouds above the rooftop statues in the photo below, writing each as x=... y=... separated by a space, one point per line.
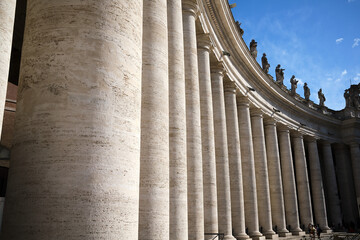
x=318 y=41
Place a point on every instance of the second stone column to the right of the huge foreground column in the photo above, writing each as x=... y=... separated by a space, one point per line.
x=177 y=123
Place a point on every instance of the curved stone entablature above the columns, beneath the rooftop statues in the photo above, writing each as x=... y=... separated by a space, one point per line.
x=253 y=83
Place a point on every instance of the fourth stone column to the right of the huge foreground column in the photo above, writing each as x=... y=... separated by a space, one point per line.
x=207 y=137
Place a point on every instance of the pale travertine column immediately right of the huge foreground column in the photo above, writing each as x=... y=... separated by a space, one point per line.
x=154 y=161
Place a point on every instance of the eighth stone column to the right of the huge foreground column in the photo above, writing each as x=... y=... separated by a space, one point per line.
x=261 y=171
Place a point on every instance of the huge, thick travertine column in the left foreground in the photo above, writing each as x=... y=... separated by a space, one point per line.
x=89 y=92
